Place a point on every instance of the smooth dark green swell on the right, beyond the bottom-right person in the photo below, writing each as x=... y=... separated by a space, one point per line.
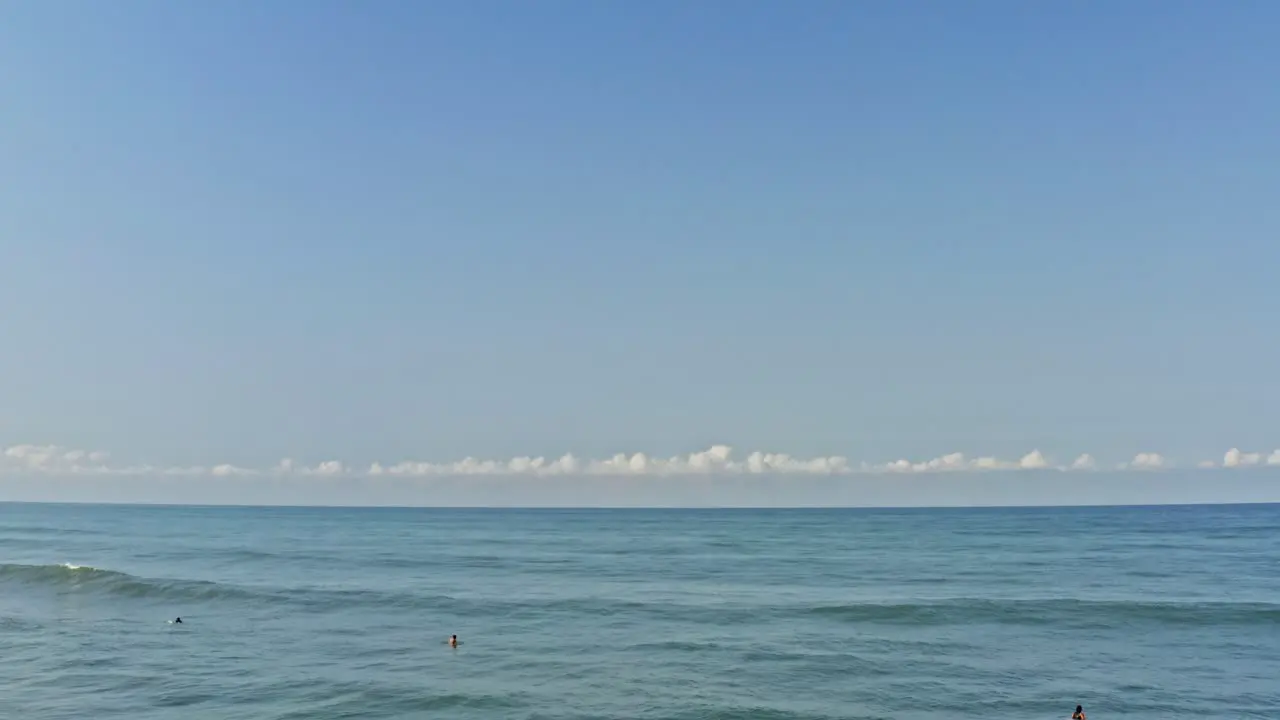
x=1094 y=613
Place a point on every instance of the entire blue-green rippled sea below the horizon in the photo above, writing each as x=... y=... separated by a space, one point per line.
x=776 y=614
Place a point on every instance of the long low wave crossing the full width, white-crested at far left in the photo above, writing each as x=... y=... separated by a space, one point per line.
x=1099 y=614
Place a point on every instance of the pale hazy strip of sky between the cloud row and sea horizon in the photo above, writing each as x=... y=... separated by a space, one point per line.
x=738 y=491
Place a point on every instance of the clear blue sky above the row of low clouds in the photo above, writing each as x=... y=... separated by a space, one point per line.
x=354 y=233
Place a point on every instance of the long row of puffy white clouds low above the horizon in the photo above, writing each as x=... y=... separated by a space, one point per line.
x=716 y=461
